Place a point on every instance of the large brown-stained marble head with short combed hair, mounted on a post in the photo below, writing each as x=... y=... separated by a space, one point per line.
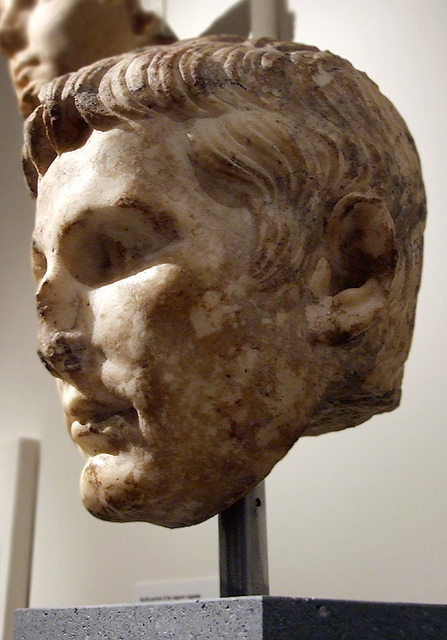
x=228 y=249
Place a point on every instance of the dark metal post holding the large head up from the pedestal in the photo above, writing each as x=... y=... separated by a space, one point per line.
x=243 y=559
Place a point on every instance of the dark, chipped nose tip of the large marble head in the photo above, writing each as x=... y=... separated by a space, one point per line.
x=61 y=352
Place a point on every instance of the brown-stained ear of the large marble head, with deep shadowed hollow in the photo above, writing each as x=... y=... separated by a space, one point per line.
x=352 y=277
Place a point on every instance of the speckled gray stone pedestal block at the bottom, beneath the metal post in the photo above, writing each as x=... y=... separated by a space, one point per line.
x=249 y=618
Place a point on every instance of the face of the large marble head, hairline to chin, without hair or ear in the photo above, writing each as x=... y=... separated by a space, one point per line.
x=174 y=381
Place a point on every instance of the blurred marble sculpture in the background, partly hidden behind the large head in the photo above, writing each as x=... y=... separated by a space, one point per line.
x=45 y=39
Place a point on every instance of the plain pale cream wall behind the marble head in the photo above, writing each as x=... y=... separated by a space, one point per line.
x=360 y=514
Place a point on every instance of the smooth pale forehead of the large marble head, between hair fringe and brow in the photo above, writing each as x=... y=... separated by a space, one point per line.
x=146 y=164
